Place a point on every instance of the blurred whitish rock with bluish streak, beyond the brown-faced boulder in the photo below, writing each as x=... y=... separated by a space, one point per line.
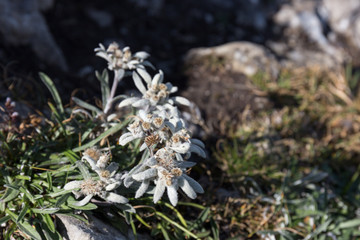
x=304 y=35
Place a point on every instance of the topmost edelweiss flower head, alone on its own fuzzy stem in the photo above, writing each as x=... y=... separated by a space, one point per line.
x=121 y=59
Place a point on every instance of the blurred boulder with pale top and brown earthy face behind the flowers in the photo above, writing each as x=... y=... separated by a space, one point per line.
x=220 y=82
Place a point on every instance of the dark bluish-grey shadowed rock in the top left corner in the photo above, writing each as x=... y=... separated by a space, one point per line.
x=23 y=24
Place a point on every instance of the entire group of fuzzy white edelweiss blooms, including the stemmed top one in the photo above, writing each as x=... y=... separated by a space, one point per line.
x=166 y=142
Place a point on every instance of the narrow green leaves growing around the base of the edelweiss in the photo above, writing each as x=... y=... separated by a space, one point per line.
x=35 y=168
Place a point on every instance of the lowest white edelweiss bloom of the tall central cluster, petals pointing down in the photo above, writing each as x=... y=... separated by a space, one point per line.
x=167 y=173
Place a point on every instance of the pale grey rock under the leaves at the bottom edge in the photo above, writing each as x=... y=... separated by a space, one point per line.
x=71 y=228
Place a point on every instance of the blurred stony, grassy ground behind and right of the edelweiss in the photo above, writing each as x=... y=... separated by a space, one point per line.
x=280 y=114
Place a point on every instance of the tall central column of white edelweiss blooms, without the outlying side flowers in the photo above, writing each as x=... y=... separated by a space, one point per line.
x=165 y=137
